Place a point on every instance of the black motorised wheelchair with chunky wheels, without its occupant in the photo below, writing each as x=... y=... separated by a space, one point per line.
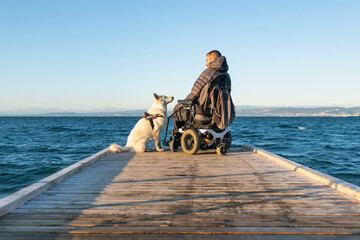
x=195 y=132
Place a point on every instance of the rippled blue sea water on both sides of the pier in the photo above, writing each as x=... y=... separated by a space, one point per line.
x=32 y=148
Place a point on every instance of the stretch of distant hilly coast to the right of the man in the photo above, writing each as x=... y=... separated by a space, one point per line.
x=299 y=112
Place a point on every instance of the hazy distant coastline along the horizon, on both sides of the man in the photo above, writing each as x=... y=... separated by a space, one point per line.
x=241 y=111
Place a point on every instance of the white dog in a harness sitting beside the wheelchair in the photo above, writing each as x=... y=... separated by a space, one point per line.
x=147 y=128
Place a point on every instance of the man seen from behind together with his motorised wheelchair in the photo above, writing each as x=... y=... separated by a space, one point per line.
x=201 y=119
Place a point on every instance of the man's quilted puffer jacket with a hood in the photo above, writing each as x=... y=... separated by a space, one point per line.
x=216 y=68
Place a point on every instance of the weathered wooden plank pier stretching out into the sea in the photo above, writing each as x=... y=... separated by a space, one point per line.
x=248 y=194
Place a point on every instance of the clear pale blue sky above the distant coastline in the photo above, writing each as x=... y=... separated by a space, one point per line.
x=115 y=54
